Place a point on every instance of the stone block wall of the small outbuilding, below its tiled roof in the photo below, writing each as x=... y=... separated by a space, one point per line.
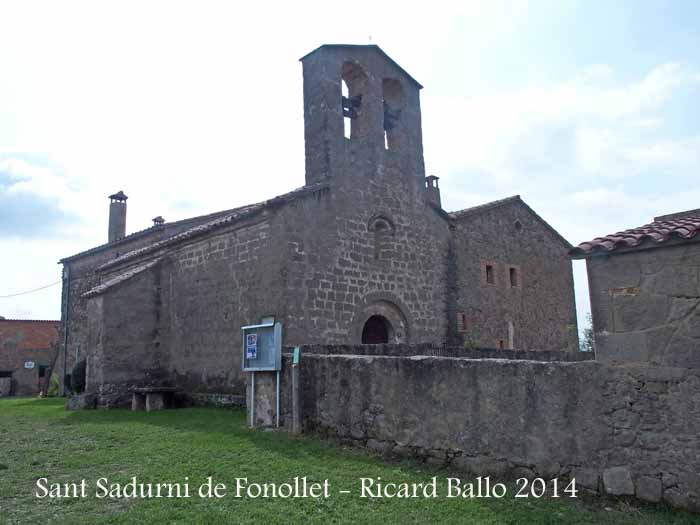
x=646 y=305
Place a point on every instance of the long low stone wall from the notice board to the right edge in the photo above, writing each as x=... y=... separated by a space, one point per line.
x=621 y=430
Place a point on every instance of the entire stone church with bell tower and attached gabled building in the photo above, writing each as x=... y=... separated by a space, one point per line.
x=362 y=253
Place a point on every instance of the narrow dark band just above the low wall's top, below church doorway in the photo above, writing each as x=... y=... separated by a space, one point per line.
x=428 y=349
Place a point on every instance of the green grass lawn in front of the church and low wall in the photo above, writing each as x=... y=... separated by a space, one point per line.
x=38 y=438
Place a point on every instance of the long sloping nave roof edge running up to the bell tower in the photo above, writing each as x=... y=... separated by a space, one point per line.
x=231 y=217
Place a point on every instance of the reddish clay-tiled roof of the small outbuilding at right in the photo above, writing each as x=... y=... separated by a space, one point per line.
x=682 y=226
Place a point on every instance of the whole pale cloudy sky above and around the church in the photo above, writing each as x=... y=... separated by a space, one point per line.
x=587 y=109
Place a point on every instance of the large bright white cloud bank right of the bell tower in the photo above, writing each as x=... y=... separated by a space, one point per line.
x=592 y=154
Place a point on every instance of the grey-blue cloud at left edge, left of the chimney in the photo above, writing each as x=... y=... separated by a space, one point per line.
x=32 y=200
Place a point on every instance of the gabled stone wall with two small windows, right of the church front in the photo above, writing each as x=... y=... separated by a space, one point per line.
x=539 y=306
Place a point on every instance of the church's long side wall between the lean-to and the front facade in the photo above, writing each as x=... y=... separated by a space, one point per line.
x=214 y=286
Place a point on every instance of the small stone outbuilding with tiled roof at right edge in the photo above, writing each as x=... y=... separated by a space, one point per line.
x=645 y=292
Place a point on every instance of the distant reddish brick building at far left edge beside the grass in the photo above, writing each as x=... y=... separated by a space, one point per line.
x=27 y=352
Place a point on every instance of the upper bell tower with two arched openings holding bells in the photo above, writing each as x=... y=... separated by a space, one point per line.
x=362 y=116
